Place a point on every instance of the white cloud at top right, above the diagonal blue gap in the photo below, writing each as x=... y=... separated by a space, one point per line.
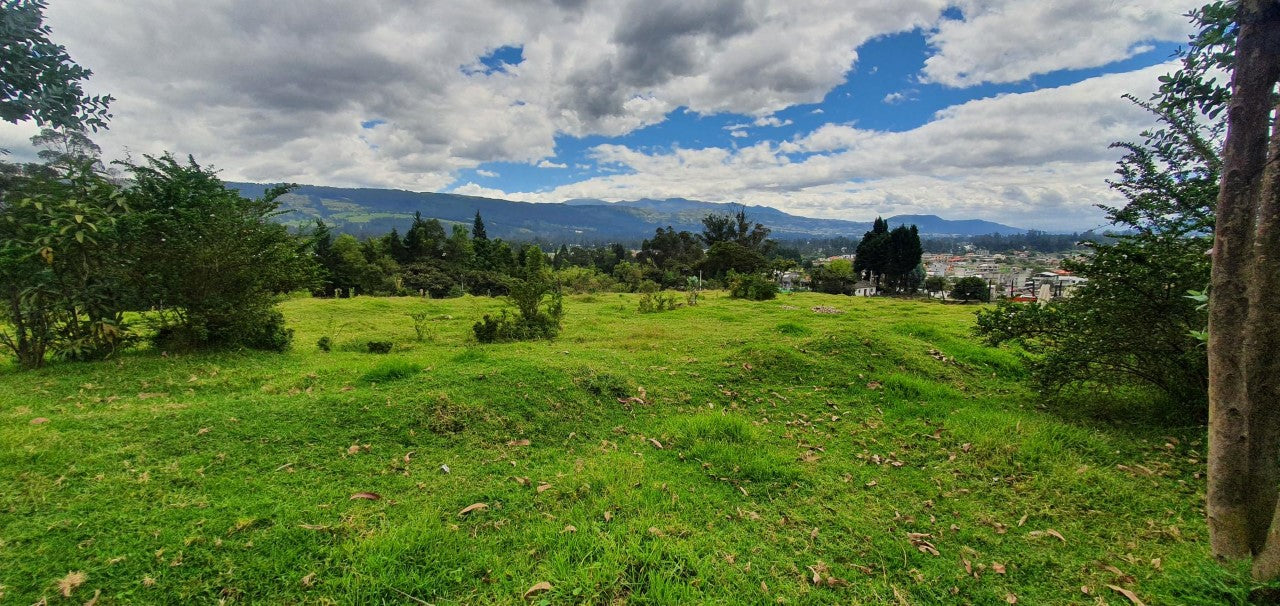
x=1012 y=40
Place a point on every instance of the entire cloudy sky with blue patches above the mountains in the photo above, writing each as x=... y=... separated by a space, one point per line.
x=847 y=110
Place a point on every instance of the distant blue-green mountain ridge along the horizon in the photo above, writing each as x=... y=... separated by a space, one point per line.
x=371 y=212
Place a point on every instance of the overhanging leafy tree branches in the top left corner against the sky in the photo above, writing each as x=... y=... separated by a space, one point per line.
x=39 y=81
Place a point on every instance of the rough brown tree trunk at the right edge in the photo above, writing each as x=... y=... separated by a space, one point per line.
x=1245 y=317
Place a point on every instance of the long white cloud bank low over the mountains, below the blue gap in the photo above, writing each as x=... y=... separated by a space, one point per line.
x=1036 y=160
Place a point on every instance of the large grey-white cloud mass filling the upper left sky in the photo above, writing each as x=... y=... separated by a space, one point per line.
x=280 y=92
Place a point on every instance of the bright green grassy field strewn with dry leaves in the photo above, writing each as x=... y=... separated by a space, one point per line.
x=733 y=453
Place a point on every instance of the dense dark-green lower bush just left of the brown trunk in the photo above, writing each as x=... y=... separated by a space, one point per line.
x=1131 y=322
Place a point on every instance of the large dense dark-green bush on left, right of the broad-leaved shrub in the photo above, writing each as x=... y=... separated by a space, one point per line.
x=209 y=262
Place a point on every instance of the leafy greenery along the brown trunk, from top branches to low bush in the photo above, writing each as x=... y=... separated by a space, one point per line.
x=1133 y=323
